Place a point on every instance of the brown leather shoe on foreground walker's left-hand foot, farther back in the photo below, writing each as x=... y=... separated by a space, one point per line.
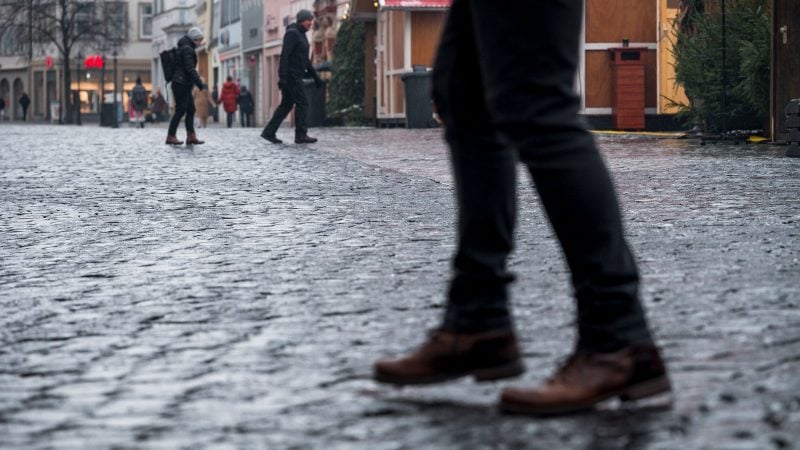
x=445 y=356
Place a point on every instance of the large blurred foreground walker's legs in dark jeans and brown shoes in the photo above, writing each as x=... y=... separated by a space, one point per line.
x=526 y=110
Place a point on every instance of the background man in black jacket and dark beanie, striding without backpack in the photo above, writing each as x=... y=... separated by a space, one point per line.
x=294 y=64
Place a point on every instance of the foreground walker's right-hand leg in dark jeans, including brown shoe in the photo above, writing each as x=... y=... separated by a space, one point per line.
x=529 y=75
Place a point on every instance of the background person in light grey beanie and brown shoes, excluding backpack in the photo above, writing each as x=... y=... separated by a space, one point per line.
x=182 y=80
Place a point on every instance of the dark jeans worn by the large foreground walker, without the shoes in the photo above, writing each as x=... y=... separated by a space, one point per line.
x=505 y=93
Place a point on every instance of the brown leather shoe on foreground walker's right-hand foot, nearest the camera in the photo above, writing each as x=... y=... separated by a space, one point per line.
x=586 y=379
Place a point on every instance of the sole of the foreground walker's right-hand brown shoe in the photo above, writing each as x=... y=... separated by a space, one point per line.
x=640 y=391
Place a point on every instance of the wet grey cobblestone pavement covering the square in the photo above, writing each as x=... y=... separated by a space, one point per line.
x=235 y=295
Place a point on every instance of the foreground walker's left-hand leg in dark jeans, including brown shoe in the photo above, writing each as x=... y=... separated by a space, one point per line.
x=476 y=336
